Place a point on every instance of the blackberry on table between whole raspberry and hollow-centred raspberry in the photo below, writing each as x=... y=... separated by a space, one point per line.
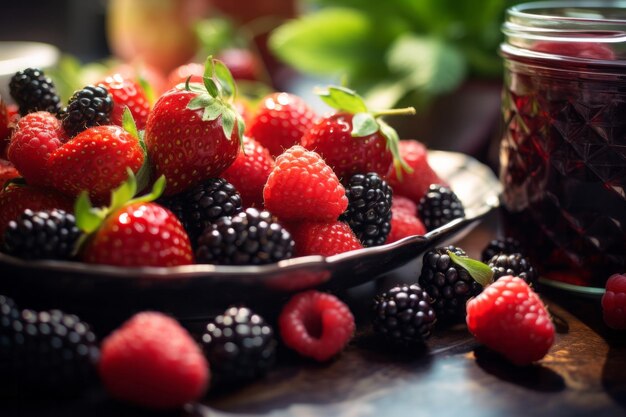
x=239 y=345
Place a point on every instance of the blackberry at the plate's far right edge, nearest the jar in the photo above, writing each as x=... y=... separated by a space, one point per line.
x=439 y=206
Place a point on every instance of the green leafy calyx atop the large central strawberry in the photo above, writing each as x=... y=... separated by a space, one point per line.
x=215 y=97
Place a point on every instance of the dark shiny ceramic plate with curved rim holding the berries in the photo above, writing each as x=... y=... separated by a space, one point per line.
x=195 y=290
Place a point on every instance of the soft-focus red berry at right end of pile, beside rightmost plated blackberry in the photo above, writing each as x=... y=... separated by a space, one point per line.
x=415 y=184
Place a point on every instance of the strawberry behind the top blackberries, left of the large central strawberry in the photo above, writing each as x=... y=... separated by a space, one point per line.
x=127 y=93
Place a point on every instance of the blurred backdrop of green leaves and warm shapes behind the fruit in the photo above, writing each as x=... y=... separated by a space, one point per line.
x=437 y=55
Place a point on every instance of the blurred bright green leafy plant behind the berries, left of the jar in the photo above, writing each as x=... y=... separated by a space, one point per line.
x=395 y=51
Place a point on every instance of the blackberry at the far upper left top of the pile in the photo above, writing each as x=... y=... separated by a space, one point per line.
x=33 y=91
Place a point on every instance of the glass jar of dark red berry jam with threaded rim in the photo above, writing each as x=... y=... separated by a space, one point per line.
x=563 y=152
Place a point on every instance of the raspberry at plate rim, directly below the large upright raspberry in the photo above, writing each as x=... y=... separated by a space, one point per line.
x=324 y=239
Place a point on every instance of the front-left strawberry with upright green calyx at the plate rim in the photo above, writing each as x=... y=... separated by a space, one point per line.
x=132 y=231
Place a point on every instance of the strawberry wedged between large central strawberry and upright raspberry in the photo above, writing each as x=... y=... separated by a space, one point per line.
x=250 y=171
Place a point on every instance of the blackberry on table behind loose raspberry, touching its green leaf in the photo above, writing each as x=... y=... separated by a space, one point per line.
x=449 y=285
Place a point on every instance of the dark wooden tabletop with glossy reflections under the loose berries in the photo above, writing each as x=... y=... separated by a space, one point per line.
x=583 y=375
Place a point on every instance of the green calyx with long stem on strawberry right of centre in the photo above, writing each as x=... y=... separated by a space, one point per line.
x=366 y=122
